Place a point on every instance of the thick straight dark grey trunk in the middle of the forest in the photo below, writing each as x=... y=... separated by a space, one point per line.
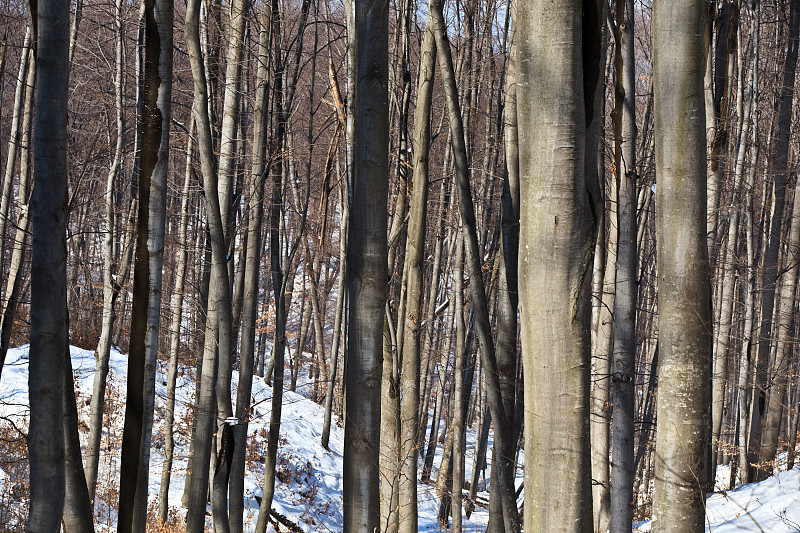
x=366 y=263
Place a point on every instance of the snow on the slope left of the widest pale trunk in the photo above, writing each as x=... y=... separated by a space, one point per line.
x=309 y=485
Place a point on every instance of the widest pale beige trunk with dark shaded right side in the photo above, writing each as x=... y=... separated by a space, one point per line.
x=555 y=102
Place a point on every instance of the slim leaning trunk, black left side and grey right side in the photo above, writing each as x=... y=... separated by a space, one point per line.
x=153 y=163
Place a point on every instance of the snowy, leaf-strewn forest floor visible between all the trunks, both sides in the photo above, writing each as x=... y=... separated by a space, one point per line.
x=309 y=480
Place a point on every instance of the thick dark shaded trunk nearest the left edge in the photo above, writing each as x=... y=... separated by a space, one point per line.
x=49 y=333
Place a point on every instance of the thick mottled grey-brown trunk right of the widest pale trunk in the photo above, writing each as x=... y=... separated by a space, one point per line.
x=684 y=320
